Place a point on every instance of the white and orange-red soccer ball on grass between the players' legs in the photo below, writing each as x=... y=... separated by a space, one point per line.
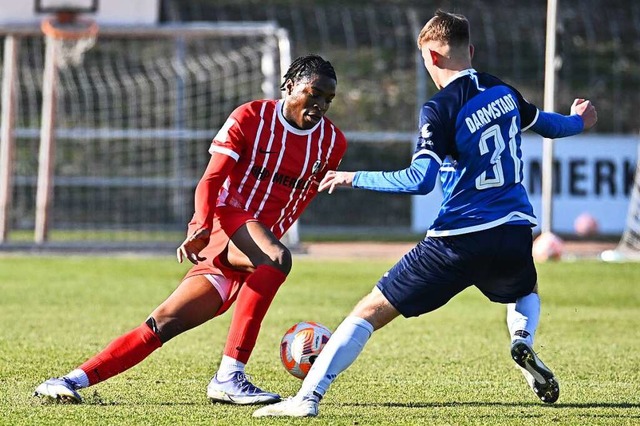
x=301 y=345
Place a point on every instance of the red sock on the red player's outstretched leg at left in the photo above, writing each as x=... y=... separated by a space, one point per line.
x=121 y=354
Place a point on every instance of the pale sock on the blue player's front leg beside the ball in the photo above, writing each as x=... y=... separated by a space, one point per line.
x=341 y=350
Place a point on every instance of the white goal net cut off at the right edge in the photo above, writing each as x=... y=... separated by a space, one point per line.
x=629 y=246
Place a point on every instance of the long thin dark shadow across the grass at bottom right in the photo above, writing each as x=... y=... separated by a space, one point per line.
x=494 y=404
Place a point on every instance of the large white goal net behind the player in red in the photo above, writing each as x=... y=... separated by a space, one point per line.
x=133 y=123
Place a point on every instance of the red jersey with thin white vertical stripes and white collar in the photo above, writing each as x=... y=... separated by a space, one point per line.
x=278 y=167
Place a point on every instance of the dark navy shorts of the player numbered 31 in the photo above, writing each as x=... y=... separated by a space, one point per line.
x=497 y=261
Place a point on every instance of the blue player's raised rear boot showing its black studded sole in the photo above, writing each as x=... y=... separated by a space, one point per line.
x=539 y=377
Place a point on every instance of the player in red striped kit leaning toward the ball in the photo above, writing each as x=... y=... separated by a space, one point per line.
x=266 y=163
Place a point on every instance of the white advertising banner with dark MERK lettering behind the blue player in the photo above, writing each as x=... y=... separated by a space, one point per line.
x=592 y=174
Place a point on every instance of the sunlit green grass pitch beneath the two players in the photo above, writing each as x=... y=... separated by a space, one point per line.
x=448 y=367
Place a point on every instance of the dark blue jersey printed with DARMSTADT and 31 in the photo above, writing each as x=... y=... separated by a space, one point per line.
x=473 y=128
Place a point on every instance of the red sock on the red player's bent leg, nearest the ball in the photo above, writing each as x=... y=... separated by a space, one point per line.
x=254 y=298
